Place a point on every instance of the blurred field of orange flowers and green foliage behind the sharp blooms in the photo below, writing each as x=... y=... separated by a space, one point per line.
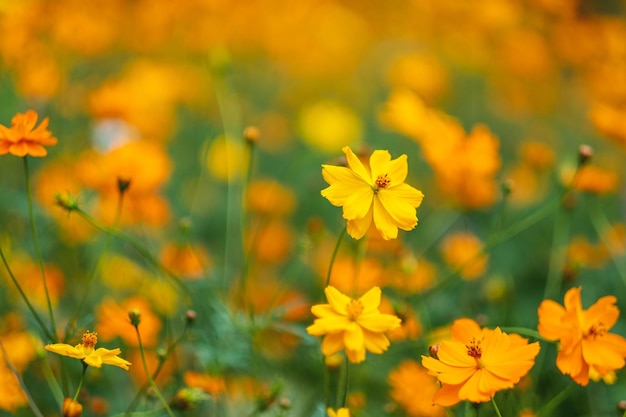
x=490 y=100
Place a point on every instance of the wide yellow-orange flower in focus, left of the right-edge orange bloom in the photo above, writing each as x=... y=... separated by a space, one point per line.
x=477 y=363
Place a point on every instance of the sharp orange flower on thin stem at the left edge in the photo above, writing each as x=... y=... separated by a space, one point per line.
x=23 y=138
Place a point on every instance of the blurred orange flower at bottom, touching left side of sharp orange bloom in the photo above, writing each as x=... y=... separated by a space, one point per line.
x=413 y=389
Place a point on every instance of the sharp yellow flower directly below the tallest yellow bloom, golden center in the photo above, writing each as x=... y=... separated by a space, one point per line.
x=353 y=325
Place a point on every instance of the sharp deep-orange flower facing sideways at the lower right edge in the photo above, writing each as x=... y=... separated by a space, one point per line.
x=586 y=346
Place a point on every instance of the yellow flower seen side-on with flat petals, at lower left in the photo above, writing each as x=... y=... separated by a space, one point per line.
x=85 y=351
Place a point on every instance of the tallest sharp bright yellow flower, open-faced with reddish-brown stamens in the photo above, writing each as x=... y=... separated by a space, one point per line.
x=373 y=193
